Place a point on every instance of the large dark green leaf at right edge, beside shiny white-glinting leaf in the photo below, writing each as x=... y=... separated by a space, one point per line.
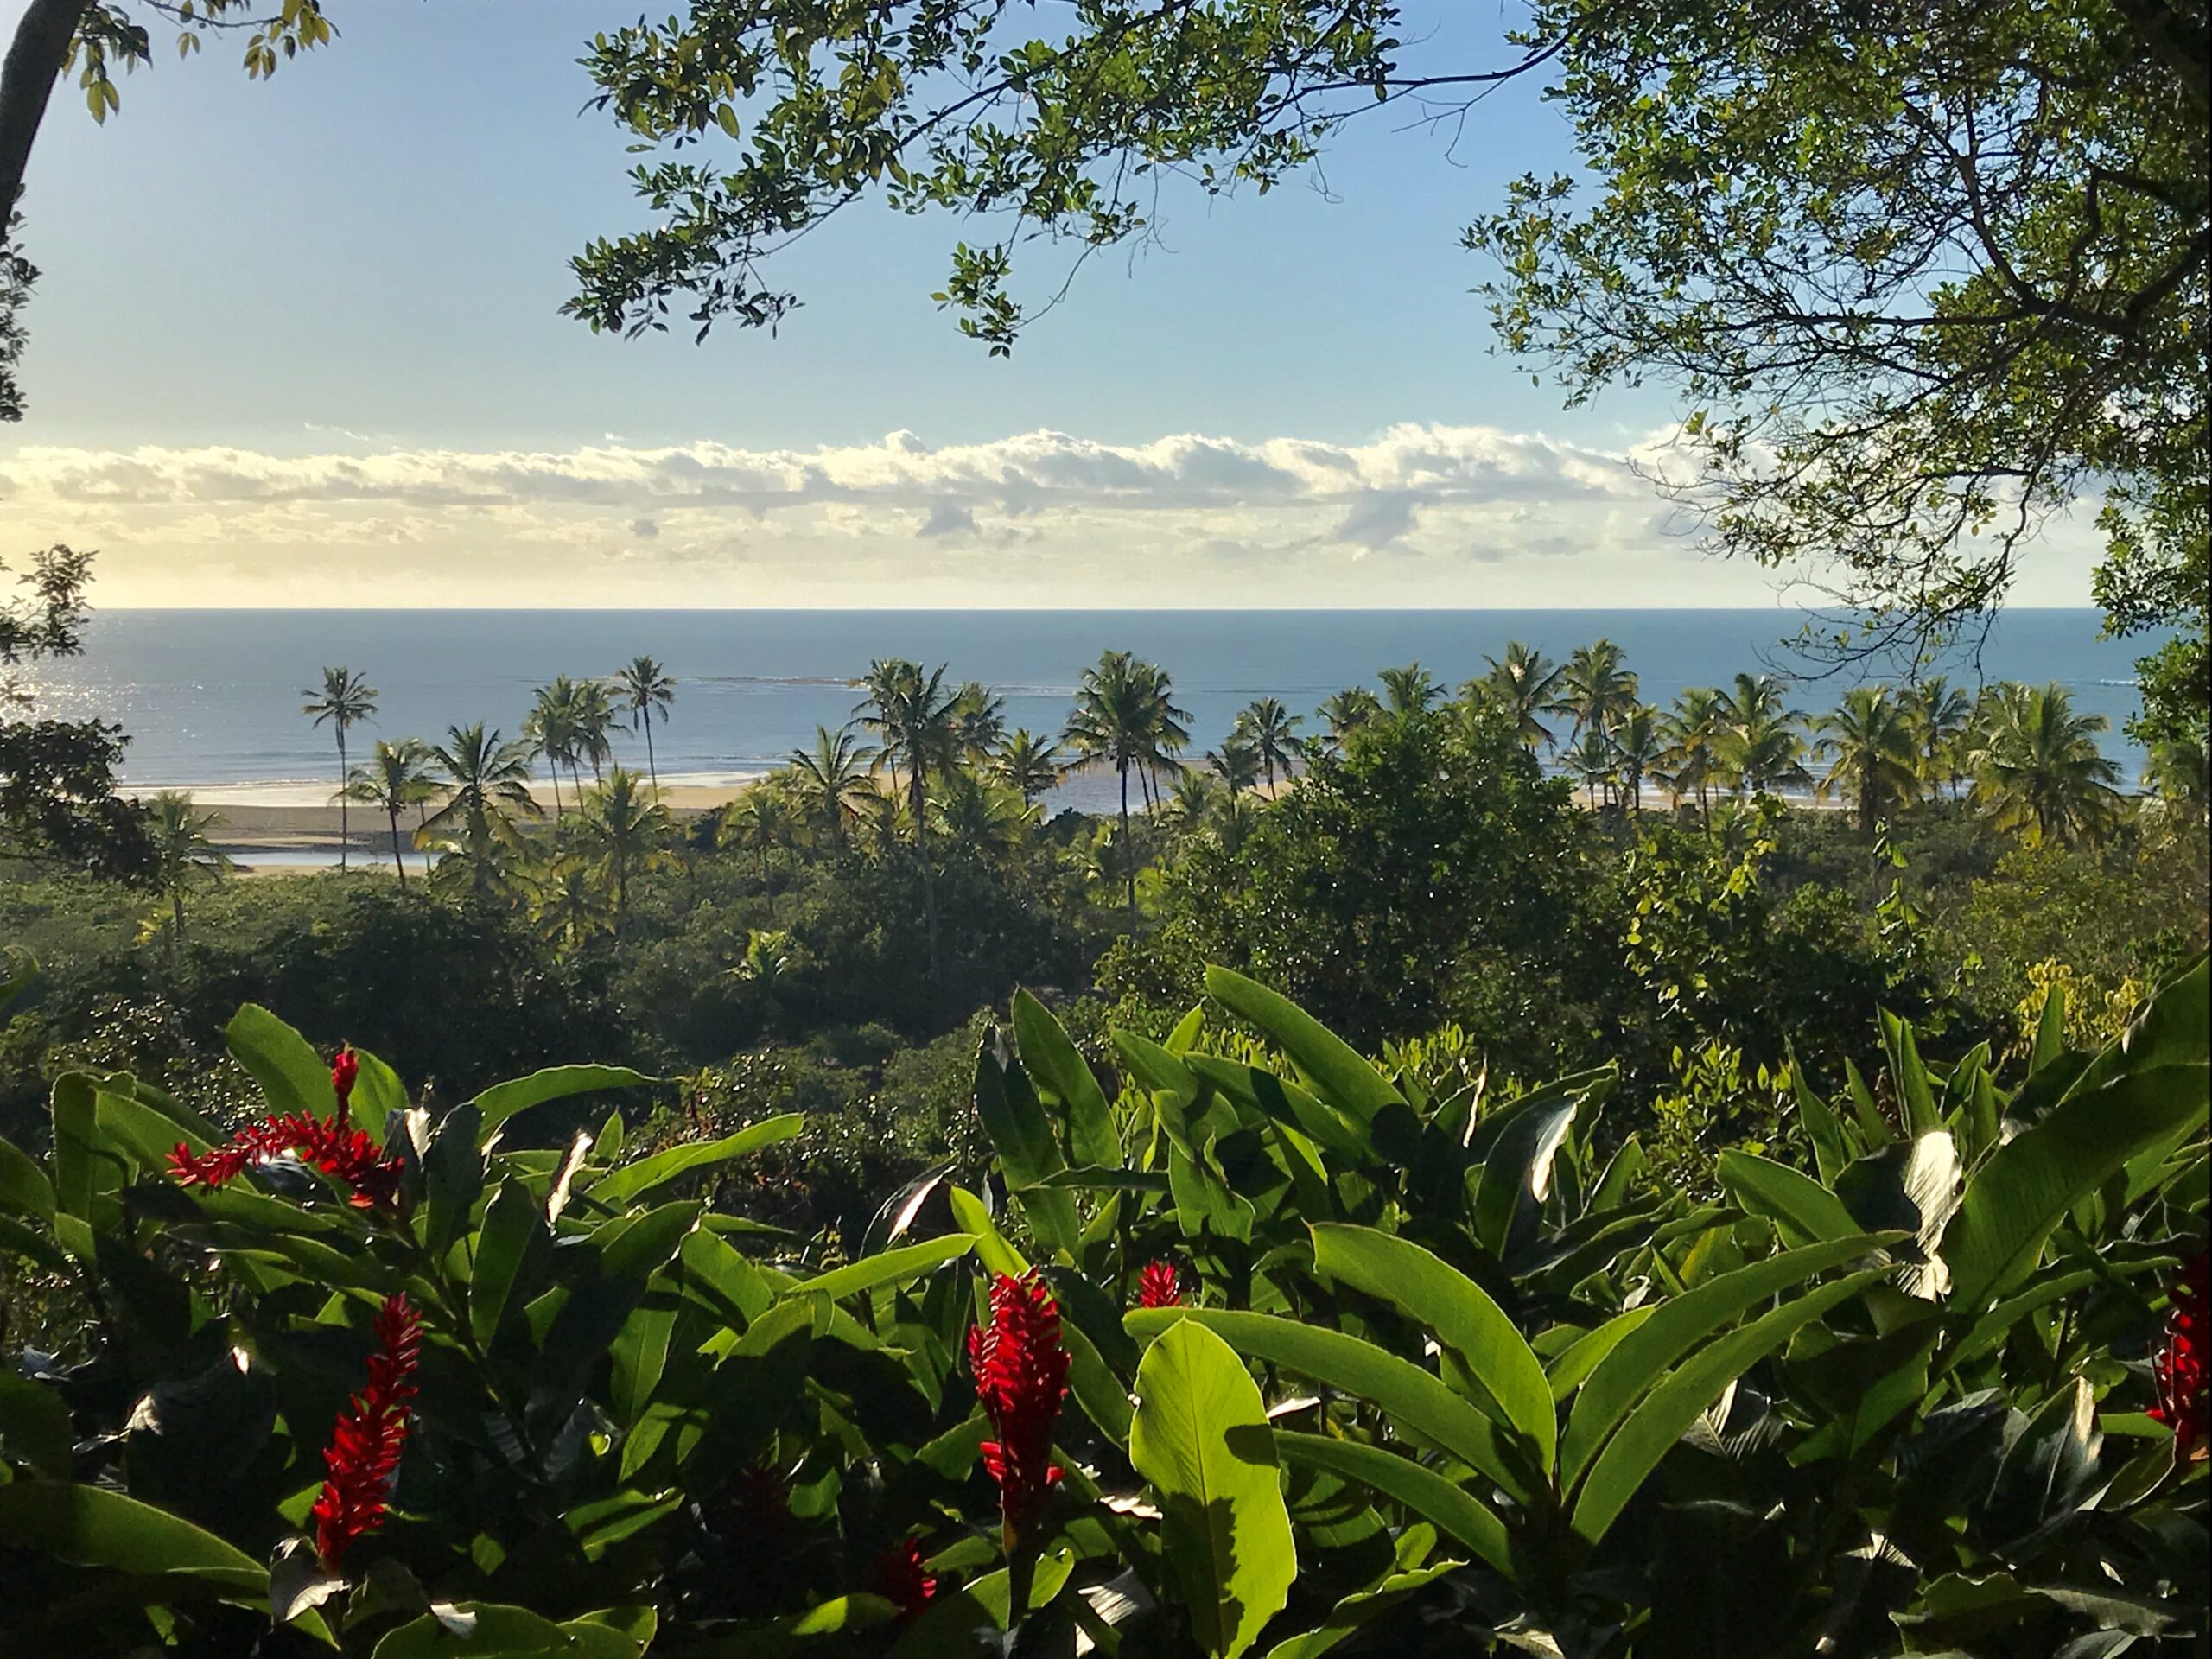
x=2034 y=1180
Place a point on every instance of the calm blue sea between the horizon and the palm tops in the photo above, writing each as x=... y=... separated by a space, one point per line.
x=211 y=698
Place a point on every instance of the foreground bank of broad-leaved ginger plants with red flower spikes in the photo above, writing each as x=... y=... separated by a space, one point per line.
x=1399 y=1366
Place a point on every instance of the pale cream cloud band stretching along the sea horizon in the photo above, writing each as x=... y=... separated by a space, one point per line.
x=1421 y=514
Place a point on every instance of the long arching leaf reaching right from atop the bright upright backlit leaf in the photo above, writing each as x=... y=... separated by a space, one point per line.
x=1412 y=1397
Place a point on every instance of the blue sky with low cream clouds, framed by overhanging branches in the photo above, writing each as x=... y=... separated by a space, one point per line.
x=255 y=291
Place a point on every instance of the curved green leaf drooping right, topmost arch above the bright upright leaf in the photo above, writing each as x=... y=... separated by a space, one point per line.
x=1459 y=1313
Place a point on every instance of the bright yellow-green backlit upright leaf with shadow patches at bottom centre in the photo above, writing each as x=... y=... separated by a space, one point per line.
x=1202 y=1439
